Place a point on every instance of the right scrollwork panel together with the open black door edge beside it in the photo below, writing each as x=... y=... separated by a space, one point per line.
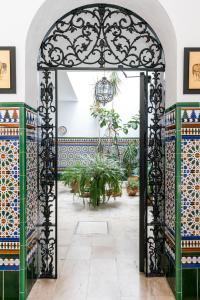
x=152 y=196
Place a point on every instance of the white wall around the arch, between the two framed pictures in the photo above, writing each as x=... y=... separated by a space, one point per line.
x=24 y=23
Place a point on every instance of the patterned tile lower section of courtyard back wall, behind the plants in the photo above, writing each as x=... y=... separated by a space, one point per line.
x=71 y=150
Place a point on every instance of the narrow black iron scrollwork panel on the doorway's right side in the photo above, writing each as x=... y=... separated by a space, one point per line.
x=155 y=221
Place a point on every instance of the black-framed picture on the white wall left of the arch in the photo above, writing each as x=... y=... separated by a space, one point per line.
x=7 y=70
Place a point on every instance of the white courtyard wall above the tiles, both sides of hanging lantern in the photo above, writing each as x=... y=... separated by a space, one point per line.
x=76 y=115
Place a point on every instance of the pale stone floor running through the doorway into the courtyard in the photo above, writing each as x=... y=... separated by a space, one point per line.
x=99 y=260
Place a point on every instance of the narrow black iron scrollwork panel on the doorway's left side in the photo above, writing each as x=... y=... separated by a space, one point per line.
x=47 y=176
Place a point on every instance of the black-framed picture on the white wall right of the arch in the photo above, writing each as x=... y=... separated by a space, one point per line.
x=191 y=80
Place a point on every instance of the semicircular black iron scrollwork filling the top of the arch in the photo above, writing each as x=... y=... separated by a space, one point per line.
x=101 y=36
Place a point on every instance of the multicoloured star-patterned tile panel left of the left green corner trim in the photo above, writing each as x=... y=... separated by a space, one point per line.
x=9 y=189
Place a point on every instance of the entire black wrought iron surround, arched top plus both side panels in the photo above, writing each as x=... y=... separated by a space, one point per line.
x=99 y=37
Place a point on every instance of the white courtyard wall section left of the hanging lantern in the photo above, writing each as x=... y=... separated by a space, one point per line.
x=75 y=115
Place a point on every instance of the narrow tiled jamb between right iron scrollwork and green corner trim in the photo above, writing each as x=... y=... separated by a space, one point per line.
x=170 y=184
